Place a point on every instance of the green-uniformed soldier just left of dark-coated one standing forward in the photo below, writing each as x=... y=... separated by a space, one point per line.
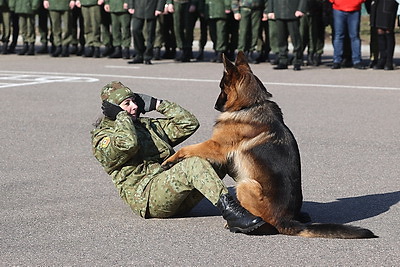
x=121 y=27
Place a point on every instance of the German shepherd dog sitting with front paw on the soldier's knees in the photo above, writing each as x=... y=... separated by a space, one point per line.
x=251 y=138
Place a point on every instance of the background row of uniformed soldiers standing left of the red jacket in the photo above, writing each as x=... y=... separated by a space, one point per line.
x=83 y=27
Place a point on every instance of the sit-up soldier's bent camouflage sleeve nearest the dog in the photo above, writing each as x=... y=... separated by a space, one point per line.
x=179 y=123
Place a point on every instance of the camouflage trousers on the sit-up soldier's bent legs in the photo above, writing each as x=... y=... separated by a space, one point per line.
x=180 y=188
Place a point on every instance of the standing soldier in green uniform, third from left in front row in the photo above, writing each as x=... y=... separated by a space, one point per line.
x=60 y=15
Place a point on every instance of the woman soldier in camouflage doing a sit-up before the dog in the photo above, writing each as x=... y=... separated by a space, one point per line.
x=131 y=149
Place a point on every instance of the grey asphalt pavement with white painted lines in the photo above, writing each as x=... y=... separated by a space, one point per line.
x=59 y=208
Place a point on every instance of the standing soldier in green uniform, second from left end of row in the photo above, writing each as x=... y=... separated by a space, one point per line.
x=26 y=11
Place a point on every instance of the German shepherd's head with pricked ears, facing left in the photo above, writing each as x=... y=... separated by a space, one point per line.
x=240 y=88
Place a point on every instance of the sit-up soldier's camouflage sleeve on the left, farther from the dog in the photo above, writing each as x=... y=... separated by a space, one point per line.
x=113 y=146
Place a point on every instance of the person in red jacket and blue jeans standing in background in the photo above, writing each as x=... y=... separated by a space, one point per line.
x=346 y=18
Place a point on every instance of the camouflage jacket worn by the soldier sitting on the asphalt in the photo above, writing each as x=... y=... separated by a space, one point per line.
x=132 y=152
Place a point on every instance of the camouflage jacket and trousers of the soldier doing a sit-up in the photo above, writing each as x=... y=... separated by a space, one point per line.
x=132 y=153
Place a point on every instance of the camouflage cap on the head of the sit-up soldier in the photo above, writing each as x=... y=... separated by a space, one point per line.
x=115 y=92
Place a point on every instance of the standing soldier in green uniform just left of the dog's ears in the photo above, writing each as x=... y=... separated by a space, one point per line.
x=214 y=12
